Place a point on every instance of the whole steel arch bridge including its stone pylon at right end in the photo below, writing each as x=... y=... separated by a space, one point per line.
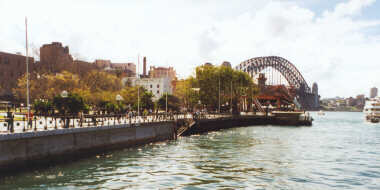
x=279 y=71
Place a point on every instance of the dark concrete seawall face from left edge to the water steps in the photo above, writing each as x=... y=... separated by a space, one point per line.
x=25 y=149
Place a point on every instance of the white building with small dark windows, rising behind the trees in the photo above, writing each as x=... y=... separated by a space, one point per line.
x=158 y=86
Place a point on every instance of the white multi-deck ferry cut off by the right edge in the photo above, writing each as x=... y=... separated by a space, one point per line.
x=372 y=110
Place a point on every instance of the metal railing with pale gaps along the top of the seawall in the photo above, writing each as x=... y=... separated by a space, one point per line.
x=43 y=122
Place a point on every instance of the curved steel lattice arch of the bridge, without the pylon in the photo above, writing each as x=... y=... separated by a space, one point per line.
x=286 y=68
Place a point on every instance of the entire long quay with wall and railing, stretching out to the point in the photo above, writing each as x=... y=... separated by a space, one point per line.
x=18 y=151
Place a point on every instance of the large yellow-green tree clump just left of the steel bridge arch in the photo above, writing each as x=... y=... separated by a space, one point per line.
x=203 y=90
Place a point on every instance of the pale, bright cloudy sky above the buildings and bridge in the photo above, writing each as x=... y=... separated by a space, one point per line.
x=335 y=43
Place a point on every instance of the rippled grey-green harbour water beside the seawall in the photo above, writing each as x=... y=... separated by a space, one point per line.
x=340 y=151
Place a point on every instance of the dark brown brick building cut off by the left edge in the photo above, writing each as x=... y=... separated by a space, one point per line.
x=12 y=67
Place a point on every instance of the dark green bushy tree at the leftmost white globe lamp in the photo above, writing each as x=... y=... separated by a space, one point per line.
x=73 y=104
